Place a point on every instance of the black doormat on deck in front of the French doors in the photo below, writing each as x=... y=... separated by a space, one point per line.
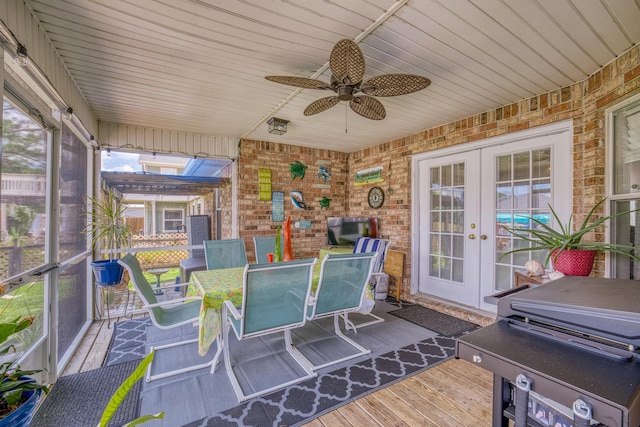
x=441 y=323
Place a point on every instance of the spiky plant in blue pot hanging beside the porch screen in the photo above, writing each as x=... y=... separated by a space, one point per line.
x=107 y=226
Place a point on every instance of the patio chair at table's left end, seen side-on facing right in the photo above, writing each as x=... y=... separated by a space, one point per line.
x=166 y=314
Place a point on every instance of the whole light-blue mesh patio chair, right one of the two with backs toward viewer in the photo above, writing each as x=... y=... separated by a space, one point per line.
x=341 y=289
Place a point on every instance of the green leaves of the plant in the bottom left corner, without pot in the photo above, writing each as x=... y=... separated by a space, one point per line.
x=13 y=379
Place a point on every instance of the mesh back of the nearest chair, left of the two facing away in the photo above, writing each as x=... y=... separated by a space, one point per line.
x=275 y=296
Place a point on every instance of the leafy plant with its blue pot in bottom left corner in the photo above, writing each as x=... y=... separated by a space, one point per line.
x=19 y=393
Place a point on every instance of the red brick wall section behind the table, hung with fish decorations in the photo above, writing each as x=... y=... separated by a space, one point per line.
x=254 y=215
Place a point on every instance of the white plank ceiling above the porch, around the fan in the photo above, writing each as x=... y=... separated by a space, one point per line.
x=199 y=65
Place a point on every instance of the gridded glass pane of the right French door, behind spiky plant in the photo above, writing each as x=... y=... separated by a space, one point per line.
x=517 y=201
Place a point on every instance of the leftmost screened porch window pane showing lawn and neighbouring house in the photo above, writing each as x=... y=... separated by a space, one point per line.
x=23 y=218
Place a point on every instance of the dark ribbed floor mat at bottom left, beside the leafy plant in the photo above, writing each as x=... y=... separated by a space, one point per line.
x=80 y=399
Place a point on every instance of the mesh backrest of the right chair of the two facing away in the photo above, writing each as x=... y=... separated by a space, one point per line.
x=343 y=278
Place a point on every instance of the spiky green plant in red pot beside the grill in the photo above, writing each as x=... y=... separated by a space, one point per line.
x=568 y=253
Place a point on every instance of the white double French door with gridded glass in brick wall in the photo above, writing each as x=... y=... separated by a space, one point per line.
x=464 y=199
